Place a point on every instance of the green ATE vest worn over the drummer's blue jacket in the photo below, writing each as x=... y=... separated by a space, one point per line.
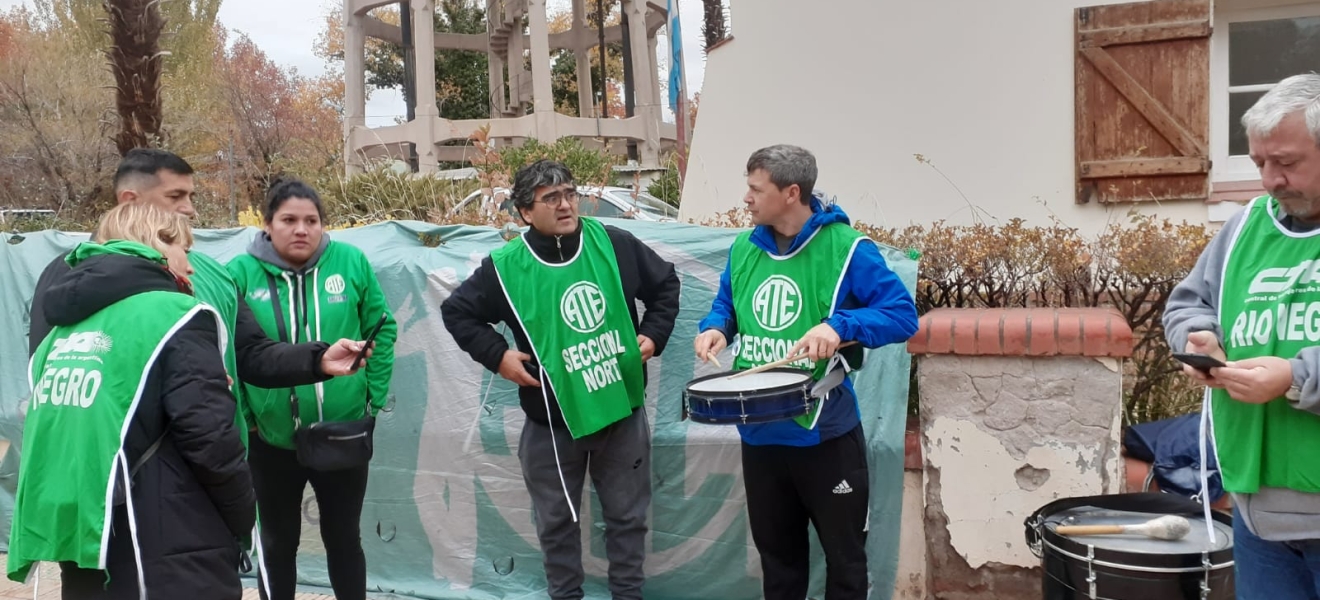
x=779 y=299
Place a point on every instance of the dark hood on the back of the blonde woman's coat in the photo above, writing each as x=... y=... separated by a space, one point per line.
x=104 y=275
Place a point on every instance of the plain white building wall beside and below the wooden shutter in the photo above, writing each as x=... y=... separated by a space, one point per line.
x=984 y=90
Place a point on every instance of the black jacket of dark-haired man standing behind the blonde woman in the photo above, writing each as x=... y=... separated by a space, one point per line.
x=261 y=361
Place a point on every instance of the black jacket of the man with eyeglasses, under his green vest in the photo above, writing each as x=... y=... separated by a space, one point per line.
x=480 y=301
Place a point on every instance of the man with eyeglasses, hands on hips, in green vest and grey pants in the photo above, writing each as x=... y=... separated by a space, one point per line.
x=568 y=288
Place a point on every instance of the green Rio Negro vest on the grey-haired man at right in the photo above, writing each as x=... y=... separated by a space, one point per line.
x=1269 y=307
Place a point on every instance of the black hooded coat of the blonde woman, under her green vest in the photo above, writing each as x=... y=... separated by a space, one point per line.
x=193 y=499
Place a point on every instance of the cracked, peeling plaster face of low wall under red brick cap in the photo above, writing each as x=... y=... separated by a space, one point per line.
x=1006 y=436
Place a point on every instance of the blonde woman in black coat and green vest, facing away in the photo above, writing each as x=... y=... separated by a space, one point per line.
x=130 y=395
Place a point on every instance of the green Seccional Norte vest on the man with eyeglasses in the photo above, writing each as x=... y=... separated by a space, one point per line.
x=577 y=321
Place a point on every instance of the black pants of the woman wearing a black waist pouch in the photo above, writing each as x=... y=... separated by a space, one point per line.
x=280 y=481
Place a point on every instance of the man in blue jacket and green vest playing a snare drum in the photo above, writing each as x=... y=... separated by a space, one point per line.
x=803 y=283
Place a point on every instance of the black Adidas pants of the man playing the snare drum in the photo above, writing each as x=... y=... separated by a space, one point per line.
x=826 y=486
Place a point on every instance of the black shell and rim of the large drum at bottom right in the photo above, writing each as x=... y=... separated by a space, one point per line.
x=1121 y=576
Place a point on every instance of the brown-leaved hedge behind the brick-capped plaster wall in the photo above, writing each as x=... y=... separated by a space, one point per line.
x=1132 y=267
